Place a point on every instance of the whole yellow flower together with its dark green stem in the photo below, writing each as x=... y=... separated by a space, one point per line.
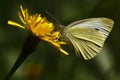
x=39 y=28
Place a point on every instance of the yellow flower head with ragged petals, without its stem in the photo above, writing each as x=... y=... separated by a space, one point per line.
x=39 y=27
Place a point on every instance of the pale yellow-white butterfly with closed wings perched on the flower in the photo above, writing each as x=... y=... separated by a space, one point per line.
x=87 y=36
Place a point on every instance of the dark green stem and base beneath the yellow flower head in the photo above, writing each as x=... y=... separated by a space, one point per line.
x=28 y=47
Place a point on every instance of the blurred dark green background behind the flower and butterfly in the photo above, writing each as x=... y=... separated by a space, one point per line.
x=46 y=63
